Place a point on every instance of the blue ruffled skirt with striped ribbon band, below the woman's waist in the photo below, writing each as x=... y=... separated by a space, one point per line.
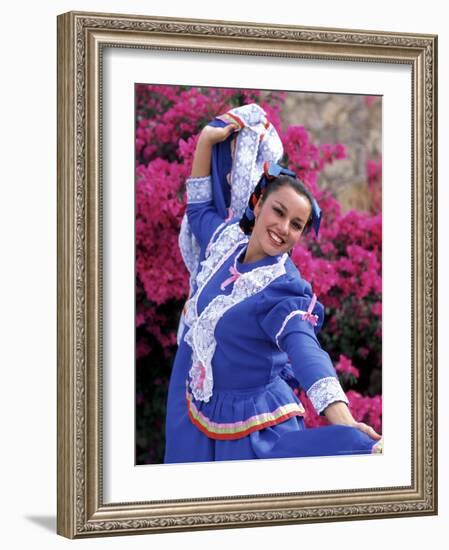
x=263 y=422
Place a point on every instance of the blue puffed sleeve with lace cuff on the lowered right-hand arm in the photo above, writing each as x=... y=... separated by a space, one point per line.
x=283 y=317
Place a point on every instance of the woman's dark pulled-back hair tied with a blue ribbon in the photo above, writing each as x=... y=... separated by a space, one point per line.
x=247 y=221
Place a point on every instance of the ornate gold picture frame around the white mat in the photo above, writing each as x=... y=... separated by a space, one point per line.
x=81 y=37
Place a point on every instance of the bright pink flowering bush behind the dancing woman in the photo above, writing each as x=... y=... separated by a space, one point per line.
x=343 y=264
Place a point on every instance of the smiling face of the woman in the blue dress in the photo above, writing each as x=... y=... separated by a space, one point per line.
x=280 y=221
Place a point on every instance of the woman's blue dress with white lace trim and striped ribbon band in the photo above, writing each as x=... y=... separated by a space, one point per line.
x=245 y=323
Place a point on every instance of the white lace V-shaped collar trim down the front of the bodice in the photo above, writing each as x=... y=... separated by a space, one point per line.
x=200 y=335
